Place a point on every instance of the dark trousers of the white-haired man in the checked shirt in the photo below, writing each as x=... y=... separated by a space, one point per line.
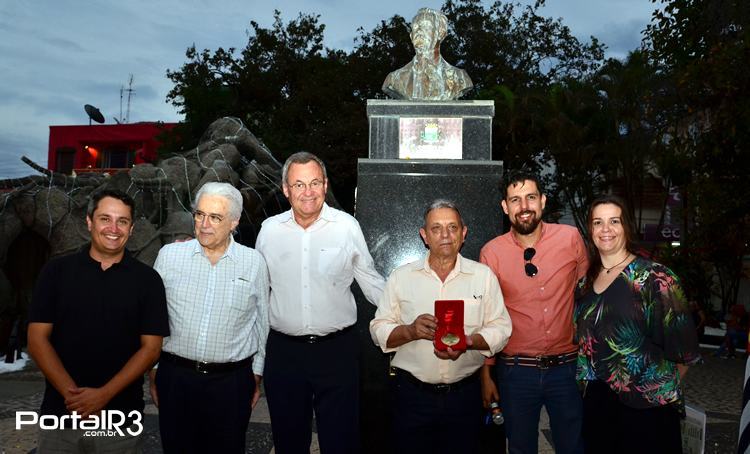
x=200 y=413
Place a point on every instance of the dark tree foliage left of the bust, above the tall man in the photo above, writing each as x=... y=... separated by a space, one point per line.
x=286 y=87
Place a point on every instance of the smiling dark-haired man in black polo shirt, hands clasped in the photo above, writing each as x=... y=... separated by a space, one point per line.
x=97 y=321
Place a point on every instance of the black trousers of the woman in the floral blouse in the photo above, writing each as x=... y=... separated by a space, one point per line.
x=612 y=427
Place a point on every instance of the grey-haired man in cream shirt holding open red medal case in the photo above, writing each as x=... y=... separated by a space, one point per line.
x=437 y=400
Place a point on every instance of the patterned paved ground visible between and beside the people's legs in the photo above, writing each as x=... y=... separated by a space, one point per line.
x=715 y=386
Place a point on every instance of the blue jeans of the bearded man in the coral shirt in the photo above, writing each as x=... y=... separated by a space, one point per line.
x=523 y=391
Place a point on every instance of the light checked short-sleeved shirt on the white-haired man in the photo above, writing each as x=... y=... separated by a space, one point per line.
x=217 y=313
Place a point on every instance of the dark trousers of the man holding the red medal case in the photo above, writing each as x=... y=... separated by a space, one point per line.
x=430 y=422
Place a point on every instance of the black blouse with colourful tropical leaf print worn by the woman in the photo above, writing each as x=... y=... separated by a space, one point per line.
x=632 y=335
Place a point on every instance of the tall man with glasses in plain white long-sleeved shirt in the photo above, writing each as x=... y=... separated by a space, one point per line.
x=314 y=252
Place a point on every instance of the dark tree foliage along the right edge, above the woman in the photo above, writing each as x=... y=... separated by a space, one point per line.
x=702 y=48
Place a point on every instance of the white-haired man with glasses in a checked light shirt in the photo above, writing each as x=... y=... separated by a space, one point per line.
x=212 y=363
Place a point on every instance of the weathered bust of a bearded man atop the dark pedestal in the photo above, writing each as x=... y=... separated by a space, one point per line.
x=428 y=76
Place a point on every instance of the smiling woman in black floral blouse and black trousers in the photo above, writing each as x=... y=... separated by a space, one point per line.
x=636 y=338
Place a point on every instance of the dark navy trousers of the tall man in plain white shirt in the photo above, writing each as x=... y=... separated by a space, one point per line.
x=323 y=377
